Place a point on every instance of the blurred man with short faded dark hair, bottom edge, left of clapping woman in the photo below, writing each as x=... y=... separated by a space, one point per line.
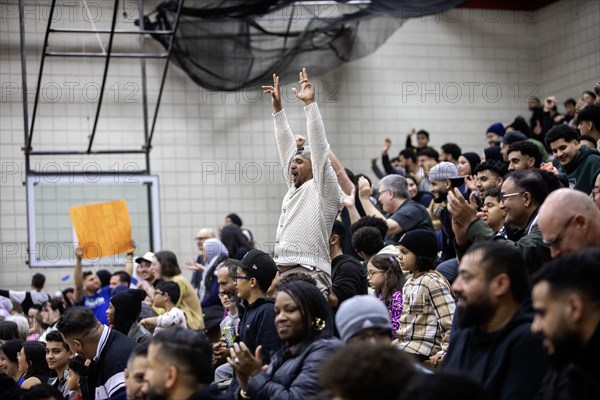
x=180 y=366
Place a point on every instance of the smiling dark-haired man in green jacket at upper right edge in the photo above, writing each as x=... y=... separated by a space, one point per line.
x=581 y=164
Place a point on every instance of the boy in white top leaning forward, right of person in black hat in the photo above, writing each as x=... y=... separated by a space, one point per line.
x=166 y=295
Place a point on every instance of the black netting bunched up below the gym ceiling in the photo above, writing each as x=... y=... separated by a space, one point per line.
x=231 y=45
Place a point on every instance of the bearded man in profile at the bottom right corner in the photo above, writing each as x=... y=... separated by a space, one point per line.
x=566 y=301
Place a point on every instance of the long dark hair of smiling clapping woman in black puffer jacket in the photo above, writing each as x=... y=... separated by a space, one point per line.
x=312 y=305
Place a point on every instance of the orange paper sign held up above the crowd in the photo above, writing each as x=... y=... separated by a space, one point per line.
x=102 y=229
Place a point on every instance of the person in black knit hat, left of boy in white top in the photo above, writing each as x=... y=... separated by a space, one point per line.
x=124 y=311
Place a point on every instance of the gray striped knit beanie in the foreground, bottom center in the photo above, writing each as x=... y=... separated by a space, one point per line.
x=359 y=313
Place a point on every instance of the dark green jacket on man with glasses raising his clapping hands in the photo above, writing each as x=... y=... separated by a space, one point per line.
x=527 y=240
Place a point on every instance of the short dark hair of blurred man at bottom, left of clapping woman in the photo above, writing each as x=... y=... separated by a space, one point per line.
x=189 y=349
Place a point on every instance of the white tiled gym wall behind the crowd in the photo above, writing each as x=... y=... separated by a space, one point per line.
x=453 y=74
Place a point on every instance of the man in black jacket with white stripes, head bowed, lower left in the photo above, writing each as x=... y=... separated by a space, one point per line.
x=107 y=349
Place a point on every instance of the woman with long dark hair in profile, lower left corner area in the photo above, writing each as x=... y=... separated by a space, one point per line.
x=32 y=365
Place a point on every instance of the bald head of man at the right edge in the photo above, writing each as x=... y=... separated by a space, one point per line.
x=569 y=222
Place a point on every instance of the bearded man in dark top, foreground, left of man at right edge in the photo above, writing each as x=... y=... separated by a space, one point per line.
x=494 y=344
